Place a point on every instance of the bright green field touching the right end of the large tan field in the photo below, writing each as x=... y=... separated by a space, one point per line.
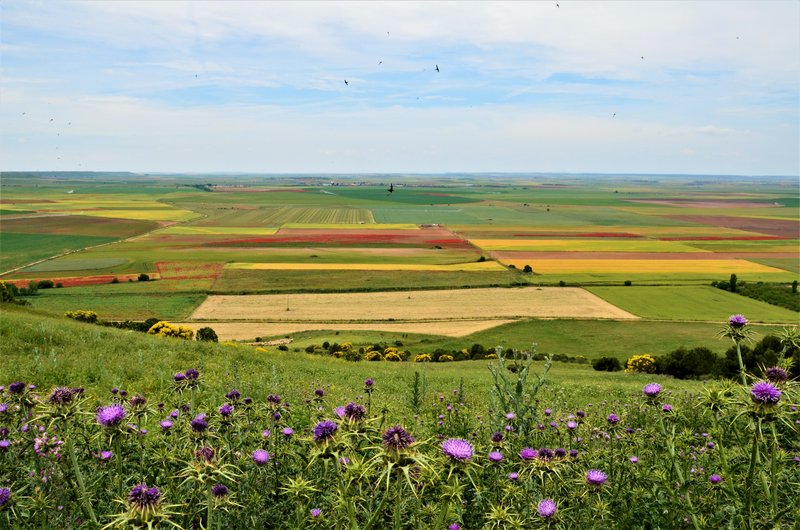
x=691 y=303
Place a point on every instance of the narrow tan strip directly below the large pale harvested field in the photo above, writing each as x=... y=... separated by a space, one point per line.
x=250 y=330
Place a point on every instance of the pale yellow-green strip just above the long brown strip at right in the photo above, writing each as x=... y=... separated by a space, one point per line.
x=583 y=245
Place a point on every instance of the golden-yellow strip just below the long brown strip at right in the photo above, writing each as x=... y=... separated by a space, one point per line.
x=633 y=266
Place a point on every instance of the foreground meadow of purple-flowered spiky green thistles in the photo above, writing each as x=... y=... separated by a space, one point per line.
x=190 y=457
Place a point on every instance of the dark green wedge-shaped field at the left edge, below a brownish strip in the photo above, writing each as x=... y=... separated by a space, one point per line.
x=21 y=249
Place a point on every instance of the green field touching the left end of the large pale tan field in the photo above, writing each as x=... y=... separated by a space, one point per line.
x=118 y=305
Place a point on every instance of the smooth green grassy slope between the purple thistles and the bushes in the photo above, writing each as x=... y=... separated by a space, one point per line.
x=55 y=351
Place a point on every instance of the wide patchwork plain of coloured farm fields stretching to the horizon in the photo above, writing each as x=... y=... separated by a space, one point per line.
x=670 y=237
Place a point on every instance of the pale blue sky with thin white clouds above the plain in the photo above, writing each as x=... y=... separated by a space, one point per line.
x=552 y=86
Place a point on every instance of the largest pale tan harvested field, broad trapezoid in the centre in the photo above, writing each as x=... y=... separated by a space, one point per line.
x=449 y=305
